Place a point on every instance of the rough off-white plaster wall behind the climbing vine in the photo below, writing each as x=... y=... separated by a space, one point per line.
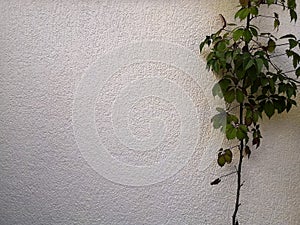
x=50 y=48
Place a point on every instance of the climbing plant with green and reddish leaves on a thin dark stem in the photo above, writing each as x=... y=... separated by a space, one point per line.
x=250 y=81
